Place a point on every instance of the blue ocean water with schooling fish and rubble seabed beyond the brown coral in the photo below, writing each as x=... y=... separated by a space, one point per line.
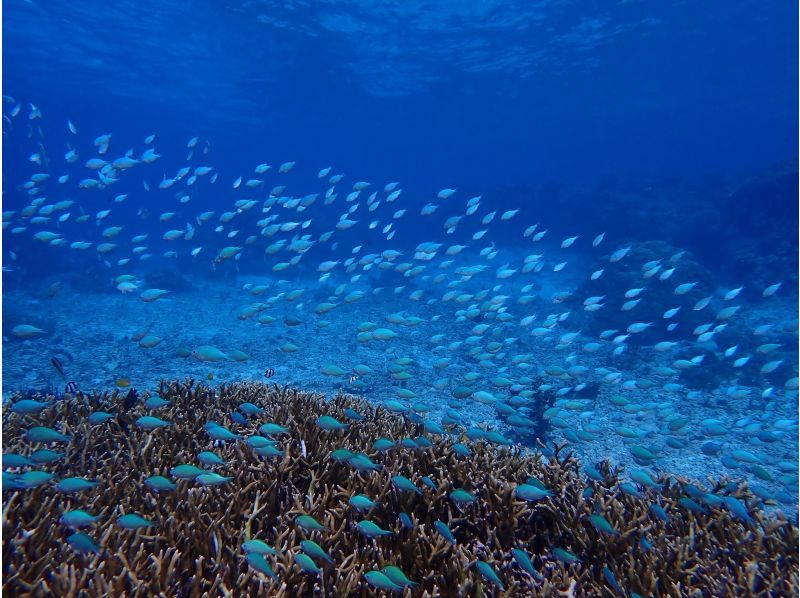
x=571 y=222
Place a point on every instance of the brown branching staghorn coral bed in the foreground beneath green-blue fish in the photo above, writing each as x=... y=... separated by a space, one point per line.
x=197 y=547
